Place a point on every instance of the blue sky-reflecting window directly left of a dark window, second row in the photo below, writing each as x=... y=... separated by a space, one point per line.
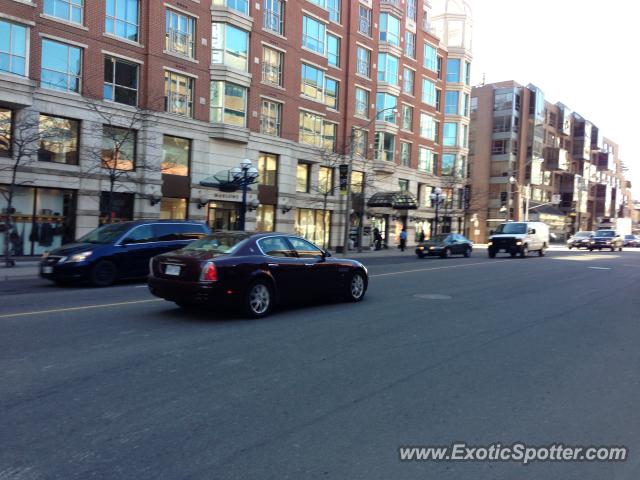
x=61 y=66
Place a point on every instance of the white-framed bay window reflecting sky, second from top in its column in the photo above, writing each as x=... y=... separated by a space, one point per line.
x=229 y=46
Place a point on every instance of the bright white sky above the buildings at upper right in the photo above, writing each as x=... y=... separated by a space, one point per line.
x=581 y=53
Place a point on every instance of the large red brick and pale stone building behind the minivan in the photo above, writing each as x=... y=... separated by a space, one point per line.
x=175 y=94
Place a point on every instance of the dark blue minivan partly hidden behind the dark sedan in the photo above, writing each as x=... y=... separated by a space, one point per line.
x=118 y=250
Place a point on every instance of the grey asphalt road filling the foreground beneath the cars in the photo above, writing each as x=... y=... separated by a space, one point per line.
x=114 y=384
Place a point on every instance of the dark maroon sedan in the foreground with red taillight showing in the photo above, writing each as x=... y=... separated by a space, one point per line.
x=254 y=271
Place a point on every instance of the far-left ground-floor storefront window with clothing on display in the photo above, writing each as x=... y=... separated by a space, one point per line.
x=42 y=219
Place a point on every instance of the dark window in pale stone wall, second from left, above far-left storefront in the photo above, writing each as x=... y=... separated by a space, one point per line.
x=58 y=139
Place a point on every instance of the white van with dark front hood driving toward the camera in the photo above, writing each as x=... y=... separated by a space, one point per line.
x=519 y=238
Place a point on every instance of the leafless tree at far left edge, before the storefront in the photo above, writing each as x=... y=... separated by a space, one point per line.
x=23 y=144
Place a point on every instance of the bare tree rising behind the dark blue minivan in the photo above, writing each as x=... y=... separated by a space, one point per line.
x=114 y=151
